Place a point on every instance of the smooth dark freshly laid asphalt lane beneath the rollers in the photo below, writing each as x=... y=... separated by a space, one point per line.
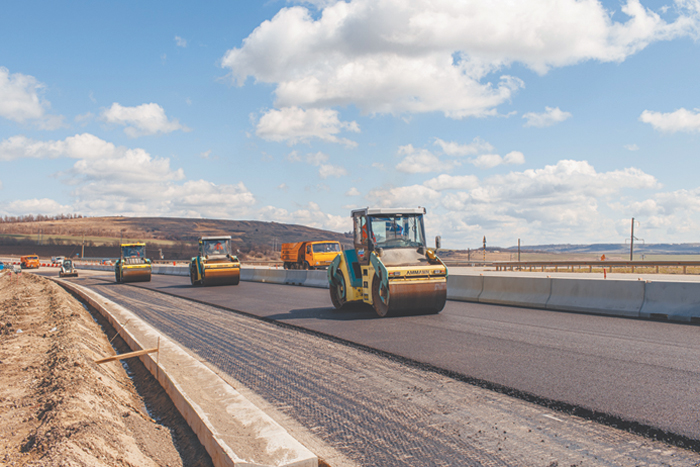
x=643 y=372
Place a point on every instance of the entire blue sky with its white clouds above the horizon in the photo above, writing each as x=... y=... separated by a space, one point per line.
x=550 y=121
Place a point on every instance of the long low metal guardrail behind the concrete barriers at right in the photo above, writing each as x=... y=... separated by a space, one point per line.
x=663 y=267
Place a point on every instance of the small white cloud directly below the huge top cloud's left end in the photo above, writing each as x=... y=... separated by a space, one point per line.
x=295 y=125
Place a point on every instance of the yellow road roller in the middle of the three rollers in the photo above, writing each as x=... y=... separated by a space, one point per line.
x=215 y=265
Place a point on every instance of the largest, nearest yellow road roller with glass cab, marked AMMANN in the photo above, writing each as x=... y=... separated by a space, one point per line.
x=390 y=266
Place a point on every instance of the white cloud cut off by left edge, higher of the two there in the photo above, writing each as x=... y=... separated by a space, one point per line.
x=20 y=101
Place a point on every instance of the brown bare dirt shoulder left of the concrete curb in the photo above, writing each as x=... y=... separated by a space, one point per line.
x=57 y=407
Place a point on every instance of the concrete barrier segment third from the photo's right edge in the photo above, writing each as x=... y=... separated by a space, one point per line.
x=532 y=292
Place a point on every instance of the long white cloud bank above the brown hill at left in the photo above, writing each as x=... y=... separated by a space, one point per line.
x=109 y=179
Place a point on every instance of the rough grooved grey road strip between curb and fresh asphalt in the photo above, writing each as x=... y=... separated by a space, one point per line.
x=371 y=409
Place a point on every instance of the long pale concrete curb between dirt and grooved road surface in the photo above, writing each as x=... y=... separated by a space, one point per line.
x=234 y=432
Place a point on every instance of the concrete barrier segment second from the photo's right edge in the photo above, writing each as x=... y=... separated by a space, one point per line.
x=603 y=297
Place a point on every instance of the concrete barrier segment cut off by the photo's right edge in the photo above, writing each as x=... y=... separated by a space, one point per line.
x=676 y=301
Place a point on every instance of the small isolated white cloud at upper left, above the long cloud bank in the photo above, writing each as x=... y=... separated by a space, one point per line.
x=142 y=120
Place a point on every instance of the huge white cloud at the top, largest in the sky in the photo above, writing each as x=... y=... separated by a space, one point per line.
x=394 y=57
